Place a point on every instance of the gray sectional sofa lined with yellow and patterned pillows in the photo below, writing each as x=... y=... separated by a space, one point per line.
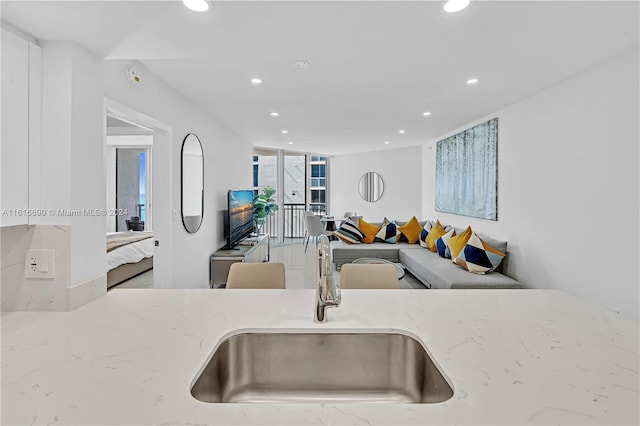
x=432 y=270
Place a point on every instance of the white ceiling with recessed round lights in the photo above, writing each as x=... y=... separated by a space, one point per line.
x=375 y=66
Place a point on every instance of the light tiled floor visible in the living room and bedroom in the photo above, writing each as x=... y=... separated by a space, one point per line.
x=292 y=254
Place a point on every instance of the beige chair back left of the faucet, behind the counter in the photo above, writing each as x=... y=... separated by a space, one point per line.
x=256 y=275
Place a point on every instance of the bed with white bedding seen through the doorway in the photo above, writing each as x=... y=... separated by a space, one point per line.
x=128 y=254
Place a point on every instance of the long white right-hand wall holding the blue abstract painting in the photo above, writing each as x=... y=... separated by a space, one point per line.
x=568 y=186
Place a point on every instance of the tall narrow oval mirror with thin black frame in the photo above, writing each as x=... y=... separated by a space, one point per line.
x=192 y=162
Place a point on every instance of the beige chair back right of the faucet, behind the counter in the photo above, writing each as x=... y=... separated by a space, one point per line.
x=368 y=276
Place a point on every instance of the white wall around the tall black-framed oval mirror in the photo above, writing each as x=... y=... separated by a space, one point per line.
x=227 y=164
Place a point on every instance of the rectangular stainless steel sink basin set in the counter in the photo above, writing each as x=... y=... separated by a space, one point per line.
x=321 y=367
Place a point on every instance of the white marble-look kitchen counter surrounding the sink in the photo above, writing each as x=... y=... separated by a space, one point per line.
x=512 y=356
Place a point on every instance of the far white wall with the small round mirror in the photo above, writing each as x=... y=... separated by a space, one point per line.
x=400 y=170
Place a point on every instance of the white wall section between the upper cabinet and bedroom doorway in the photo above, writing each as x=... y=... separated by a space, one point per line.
x=72 y=168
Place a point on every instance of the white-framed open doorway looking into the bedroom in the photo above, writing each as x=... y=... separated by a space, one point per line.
x=135 y=146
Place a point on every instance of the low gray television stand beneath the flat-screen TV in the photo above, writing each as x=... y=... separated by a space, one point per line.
x=254 y=249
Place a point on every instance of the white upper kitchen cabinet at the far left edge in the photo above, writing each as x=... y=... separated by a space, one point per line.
x=20 y=122
